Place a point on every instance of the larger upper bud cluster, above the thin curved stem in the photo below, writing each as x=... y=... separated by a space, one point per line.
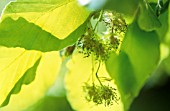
x=91 y=42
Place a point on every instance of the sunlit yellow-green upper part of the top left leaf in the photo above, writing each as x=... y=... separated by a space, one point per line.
x=58 y=17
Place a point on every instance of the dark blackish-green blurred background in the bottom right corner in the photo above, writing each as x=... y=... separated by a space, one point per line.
x=154 y=97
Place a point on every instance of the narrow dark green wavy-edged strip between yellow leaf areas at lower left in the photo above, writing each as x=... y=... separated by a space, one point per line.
x=26 y=79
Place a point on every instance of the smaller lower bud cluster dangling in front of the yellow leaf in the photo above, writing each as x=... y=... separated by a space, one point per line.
x=101 y=94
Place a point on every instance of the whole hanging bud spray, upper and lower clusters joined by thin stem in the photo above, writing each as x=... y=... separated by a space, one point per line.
x=101 y=45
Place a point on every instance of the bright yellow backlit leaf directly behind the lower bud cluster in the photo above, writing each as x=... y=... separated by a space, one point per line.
x=80 y=72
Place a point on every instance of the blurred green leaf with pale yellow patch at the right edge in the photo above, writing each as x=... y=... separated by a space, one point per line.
x=164 y=35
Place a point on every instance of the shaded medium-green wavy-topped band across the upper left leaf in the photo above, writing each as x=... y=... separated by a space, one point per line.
x=20 y=33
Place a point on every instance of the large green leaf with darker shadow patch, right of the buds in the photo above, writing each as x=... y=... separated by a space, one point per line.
x=137 y=60
